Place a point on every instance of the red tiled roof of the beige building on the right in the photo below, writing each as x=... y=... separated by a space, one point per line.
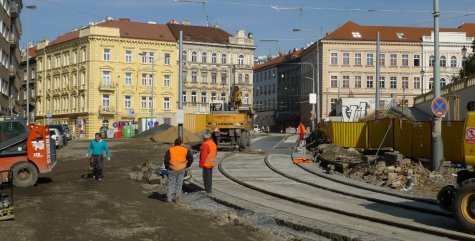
x=354 y=31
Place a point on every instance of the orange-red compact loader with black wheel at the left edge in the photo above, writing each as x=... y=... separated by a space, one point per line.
x=25 y=150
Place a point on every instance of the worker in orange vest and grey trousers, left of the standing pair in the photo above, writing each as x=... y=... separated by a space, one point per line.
x=176 y=160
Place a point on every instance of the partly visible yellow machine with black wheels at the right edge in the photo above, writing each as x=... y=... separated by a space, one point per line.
x=460 y=200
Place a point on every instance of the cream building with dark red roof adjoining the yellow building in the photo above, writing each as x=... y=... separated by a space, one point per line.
x=214 y=60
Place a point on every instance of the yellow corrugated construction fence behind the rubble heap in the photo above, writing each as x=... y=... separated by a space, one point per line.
x=412 y=139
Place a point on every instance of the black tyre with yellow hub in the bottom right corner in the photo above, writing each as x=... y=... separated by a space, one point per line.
x=464 y=206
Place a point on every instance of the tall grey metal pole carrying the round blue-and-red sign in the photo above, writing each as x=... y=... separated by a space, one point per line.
x=437 y=146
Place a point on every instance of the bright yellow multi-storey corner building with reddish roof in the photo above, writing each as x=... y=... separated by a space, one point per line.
x=107 y=73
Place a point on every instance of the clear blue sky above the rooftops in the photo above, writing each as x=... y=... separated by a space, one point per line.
x=271 y=22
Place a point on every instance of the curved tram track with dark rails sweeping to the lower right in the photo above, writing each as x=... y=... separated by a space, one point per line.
x=427 y=210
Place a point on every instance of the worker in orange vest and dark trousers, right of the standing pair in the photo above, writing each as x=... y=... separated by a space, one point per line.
x=208 y=160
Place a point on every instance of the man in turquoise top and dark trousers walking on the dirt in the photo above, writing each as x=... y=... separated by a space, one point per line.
x=97 y=147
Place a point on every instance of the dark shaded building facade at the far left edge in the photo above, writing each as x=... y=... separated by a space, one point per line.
x=10 y=32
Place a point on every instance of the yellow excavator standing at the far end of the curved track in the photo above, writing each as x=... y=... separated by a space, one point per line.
x=230 y=124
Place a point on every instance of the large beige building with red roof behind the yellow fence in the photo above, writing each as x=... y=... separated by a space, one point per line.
x=346 y=66
